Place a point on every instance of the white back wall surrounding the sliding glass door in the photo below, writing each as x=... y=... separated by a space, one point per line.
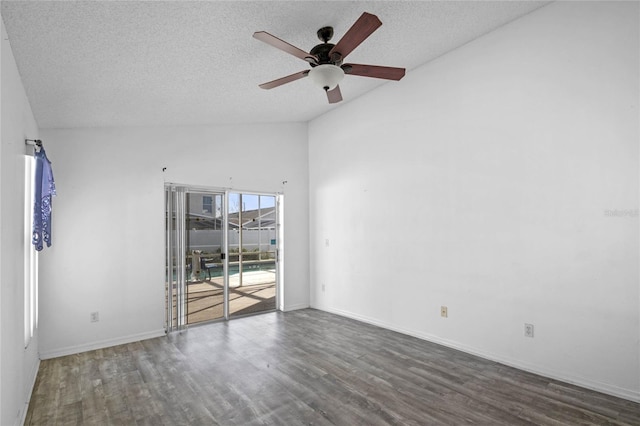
x=108 y=220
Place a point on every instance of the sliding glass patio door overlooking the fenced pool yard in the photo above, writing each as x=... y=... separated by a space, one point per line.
x=221 y=251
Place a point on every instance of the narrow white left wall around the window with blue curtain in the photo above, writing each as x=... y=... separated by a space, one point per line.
x=18 y=366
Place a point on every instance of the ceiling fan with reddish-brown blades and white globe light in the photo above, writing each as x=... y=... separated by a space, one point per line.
x=327 y=69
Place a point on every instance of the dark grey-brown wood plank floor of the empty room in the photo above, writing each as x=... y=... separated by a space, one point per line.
x=304 y=368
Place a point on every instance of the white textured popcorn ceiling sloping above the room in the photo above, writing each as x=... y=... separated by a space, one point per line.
x=139 y=63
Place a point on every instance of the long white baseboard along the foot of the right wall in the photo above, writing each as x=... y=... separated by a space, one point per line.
x=616 y=391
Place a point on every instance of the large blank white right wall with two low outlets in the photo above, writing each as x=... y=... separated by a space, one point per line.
x=486 y=175
